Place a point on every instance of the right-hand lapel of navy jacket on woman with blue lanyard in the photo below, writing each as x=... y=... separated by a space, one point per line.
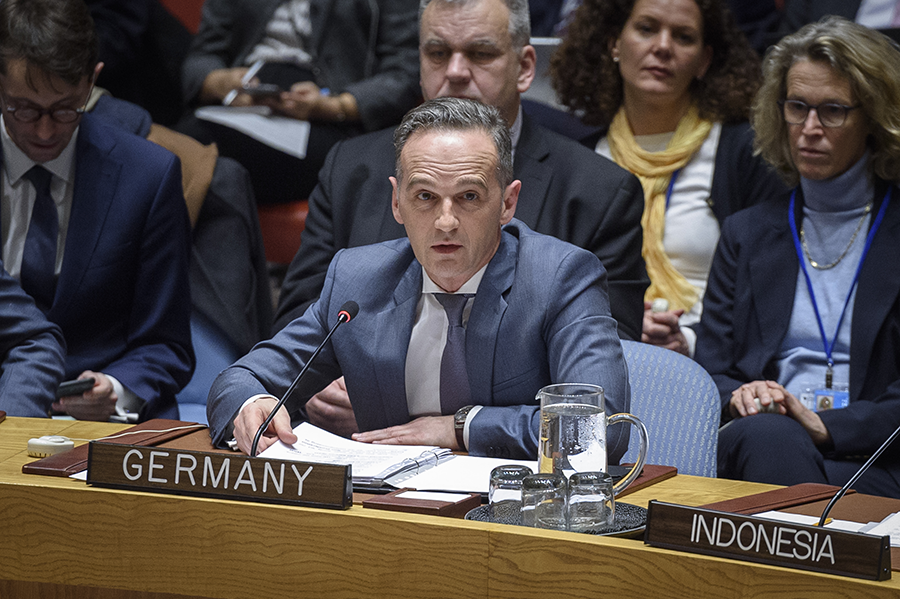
x=877 y=291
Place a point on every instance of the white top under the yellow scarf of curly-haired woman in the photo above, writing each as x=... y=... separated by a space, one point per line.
x=692 y=231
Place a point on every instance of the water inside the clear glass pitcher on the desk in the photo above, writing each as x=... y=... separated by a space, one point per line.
x=573 y=439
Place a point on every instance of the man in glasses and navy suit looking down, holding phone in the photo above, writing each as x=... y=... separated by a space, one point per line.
x=93 y=220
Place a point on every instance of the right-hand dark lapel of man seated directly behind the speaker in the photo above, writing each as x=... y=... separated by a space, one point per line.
x=529 y=167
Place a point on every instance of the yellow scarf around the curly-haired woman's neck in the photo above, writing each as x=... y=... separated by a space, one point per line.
x=654 y=169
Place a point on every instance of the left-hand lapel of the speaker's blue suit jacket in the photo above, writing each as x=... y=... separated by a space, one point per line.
x=393 y=328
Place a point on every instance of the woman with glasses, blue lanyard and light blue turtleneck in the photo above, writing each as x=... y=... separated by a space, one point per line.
x=801 y=318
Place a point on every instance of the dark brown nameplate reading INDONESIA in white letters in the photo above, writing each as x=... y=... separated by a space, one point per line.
x=754 y=539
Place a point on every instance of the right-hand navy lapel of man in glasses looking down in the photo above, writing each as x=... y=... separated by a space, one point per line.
x=96 y=179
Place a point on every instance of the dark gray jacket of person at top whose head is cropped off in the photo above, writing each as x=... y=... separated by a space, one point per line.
x=368 y=48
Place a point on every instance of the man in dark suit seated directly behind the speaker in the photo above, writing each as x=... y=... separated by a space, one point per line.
x=475 y=49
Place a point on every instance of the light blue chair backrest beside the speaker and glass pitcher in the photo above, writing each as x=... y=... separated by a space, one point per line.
x=679 y=404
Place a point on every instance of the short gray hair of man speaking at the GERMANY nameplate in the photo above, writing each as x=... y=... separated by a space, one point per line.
x=455 y=114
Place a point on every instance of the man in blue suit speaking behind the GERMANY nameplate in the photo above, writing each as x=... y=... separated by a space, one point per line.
x=460 y=324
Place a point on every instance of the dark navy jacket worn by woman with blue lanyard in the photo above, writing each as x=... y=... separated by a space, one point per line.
x=747 y=310
